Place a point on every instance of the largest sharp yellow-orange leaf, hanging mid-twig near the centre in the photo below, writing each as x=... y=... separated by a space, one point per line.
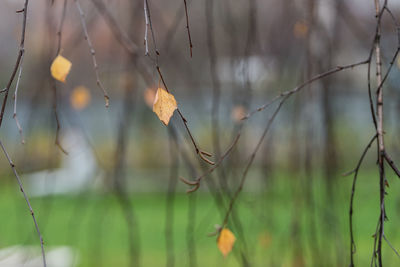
x=164 y=105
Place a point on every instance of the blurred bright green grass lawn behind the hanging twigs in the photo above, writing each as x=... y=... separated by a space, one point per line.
x=94 y=224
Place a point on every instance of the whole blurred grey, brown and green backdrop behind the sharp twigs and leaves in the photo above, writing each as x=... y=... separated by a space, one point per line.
x=113 y=196
